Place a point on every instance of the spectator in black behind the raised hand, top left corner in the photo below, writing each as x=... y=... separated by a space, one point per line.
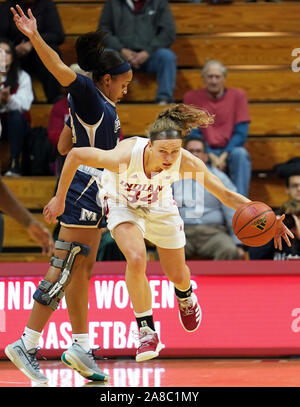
x=51 y=30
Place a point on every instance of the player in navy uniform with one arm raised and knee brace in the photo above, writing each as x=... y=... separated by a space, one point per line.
x=93 y=122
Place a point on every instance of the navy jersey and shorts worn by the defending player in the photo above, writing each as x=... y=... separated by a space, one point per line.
x=94 y=123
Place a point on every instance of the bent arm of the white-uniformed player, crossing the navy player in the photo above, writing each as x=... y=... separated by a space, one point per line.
x=114 y=160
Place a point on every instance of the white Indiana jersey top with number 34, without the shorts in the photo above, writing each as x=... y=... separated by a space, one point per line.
x=134 y=188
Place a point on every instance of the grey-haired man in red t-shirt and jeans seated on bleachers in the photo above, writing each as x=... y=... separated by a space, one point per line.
x=225 y=140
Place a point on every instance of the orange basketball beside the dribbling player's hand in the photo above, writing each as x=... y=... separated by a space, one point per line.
x=254 y=224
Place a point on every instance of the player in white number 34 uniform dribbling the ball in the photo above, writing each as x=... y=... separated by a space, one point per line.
x=139 y=205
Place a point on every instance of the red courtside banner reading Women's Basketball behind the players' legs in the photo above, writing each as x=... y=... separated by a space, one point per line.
x=243 y=315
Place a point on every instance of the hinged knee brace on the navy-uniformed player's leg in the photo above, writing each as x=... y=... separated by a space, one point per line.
x=49 y=293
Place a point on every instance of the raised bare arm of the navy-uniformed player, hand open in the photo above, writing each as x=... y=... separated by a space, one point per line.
x=51 y=60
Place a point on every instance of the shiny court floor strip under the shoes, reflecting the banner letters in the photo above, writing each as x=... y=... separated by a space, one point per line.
x=201 y=372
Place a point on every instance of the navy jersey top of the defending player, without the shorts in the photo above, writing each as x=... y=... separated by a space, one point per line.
x=93 y=117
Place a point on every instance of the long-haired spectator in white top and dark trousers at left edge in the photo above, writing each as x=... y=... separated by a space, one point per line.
x=16 y=97
